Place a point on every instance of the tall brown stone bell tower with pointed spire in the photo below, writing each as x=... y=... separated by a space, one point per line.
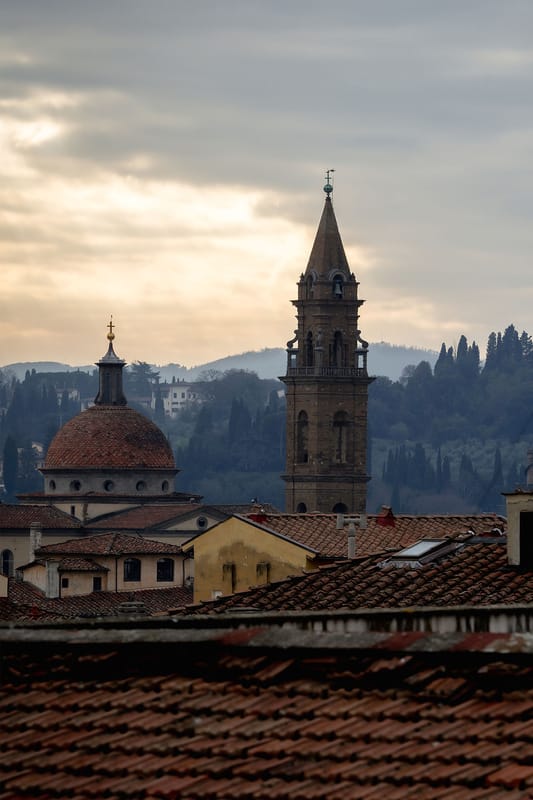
x=327 y=383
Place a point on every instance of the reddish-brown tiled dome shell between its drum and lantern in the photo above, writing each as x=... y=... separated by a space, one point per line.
x=109 y=437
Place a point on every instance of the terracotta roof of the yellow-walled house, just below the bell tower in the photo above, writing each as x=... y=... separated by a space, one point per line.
x=318 y=531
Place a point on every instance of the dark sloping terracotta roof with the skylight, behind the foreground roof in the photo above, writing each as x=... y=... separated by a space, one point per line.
x=475 y=573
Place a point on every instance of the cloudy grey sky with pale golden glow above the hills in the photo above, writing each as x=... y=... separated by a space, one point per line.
x=162 y=161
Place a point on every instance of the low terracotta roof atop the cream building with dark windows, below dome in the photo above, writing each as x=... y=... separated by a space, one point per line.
x=108 y=544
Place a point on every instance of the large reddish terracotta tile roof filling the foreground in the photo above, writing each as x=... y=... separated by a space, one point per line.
x=398 y=720
